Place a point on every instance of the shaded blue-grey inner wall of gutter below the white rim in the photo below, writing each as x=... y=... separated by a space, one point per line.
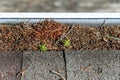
x=75 y=21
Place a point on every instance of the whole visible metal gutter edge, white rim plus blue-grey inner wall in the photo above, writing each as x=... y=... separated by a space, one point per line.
x=71 y=18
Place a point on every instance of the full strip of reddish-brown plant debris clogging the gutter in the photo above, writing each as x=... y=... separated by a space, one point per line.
x=28 y=36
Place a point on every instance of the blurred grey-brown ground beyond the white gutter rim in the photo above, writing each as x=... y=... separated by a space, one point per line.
x=59 y=5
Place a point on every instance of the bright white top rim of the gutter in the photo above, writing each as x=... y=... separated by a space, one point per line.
x=57 y=15
